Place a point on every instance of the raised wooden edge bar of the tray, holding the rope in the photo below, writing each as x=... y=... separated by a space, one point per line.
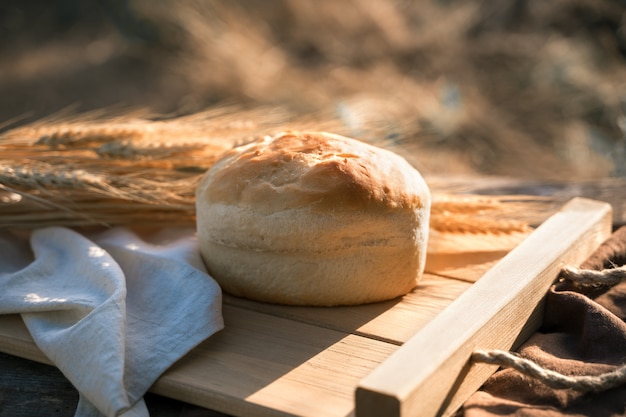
x=431 y=374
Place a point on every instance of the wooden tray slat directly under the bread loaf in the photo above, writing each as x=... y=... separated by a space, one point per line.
x=394 y=321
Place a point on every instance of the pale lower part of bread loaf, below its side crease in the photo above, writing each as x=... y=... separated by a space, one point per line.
x=348 y=277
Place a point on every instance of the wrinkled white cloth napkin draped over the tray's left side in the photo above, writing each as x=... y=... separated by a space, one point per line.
x=112 y=310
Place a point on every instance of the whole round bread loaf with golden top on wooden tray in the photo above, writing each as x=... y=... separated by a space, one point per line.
x=313 y=219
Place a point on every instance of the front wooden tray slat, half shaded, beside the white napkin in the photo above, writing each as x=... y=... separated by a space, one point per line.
x=262 y=365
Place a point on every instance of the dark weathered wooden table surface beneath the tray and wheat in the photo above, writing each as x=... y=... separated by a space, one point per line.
x=31 y=389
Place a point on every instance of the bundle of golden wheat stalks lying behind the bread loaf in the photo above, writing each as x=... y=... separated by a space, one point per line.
x=133 y=171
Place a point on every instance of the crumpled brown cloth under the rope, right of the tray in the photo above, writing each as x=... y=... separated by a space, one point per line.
x=583 y=333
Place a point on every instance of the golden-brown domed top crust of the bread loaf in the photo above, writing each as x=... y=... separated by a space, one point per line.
x=312 y=168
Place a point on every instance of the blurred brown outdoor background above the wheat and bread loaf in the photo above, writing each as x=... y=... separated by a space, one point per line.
x=531 y=89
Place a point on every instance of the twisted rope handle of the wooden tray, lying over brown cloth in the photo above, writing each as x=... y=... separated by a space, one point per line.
x=553 y=379
